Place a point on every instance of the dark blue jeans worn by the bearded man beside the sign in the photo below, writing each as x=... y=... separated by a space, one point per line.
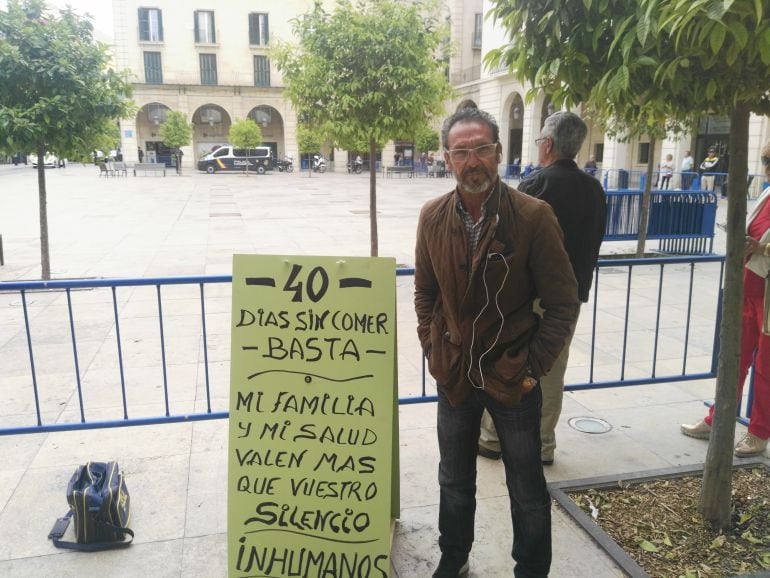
x=518 y=428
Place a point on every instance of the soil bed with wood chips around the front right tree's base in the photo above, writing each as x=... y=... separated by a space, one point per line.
x=649 y=523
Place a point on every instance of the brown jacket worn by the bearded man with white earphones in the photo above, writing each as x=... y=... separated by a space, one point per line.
x=489 y=336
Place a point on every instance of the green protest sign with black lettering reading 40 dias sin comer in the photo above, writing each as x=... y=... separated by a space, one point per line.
x=312 y=392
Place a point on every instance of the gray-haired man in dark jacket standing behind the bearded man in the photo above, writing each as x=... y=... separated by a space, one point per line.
x=581 y=209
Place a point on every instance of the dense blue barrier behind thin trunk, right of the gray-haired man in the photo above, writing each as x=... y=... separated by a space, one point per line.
x=683 y=221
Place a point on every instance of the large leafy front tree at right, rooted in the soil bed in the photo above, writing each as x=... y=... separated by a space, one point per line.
x=642 y=64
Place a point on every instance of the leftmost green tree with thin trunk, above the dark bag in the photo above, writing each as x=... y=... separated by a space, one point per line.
x=57 y=92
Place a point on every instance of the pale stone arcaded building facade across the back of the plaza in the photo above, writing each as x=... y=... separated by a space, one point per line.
x=210 y=61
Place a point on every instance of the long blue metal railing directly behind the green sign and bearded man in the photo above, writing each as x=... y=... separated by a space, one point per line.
x=605 y=335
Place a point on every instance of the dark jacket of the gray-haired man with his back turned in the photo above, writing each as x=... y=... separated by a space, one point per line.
x=581 y=207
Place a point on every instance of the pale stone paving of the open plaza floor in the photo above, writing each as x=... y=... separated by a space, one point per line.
x=192 y=225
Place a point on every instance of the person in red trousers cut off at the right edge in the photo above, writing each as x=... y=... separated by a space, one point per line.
x=755 y=333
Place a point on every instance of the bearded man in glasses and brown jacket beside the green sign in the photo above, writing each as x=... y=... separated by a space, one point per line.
x=484 y=253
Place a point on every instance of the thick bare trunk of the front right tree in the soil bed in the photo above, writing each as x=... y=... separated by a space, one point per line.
x=717 y=472
